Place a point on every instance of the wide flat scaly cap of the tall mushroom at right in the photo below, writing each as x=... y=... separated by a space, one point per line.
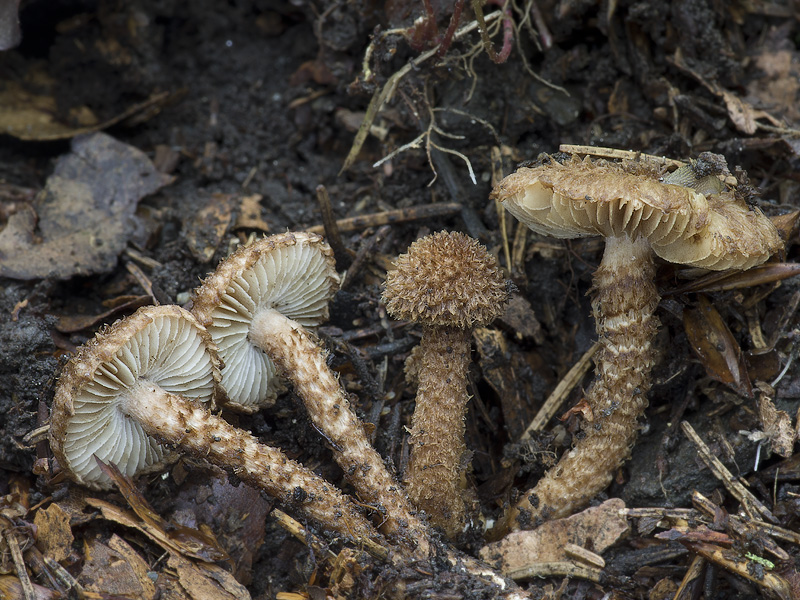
x=582 y=198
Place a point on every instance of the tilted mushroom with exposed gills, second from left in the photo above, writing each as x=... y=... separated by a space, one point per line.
x=258 y=300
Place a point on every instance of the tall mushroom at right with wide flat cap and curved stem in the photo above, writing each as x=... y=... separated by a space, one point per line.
x=689 y=217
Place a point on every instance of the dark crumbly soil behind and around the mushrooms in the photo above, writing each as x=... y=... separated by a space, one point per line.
x=266 y=96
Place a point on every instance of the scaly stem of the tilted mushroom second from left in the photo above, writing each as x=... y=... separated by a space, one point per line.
x=296 y=353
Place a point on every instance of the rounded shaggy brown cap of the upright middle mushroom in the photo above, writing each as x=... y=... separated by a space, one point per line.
x=446 y=279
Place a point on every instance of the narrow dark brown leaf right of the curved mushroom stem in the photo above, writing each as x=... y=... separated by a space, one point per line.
x=716 y=347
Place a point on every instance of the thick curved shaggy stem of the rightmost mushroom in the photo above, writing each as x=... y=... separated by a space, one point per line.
x=624 y=300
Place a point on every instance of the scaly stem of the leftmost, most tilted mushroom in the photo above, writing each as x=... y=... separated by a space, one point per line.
x=173 y=420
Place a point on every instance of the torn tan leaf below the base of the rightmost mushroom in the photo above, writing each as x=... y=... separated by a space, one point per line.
x=594 y=529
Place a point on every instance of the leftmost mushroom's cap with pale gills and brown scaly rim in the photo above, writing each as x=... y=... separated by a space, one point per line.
x=163 y=345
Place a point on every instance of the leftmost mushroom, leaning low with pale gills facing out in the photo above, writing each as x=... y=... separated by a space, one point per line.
x=145 y=381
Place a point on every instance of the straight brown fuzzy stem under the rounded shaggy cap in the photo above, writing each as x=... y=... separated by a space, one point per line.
x=435 y=477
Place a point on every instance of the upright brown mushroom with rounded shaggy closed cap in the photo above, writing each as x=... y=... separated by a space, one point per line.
x=449 y=283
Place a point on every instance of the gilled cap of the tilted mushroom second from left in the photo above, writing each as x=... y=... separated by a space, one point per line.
x=293 y=273
